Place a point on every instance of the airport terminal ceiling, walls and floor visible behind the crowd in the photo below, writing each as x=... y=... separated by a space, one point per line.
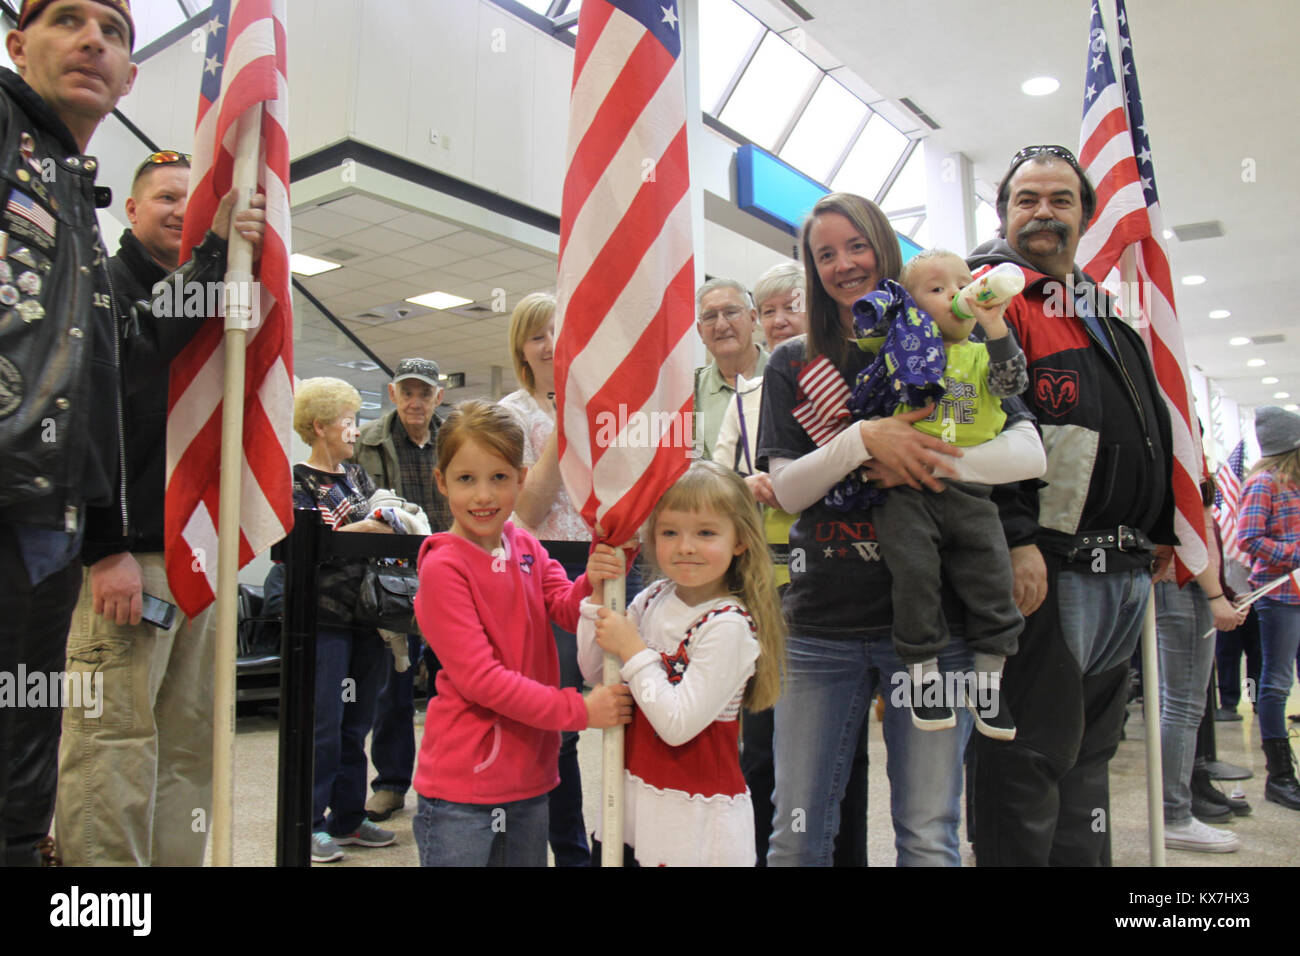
x=428 y=158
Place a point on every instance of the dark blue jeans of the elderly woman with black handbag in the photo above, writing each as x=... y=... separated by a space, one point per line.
x=344 y=716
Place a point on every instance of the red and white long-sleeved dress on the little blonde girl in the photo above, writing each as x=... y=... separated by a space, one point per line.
x=686 y=802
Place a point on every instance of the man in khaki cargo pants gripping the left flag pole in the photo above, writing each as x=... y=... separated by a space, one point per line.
x=137 y=767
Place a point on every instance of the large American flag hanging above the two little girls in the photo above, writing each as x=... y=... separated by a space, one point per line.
x=623 y=362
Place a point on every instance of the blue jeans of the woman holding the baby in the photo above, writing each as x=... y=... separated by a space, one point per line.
x=829 y=689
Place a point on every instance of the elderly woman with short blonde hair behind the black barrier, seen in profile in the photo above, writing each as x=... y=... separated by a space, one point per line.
x=349 y=657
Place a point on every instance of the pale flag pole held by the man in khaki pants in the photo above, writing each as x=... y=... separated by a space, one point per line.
x=240 y=302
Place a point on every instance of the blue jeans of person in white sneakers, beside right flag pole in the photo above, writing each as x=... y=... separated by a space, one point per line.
x=1186 y=657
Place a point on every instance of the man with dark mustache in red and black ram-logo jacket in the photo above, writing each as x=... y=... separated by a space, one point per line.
x=1084 y=544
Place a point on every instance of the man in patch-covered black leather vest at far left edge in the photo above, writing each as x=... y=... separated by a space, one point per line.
x=60 y=417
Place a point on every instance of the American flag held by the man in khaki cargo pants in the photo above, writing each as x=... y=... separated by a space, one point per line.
x=244 y=70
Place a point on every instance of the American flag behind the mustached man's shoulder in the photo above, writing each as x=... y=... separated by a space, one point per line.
x=1125 y=243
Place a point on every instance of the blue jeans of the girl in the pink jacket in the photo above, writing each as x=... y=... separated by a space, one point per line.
x=512 y=834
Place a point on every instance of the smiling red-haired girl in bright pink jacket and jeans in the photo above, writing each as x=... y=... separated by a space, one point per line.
x=488 y=594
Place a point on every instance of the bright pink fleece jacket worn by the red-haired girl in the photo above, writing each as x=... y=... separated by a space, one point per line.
x=492 y=733
